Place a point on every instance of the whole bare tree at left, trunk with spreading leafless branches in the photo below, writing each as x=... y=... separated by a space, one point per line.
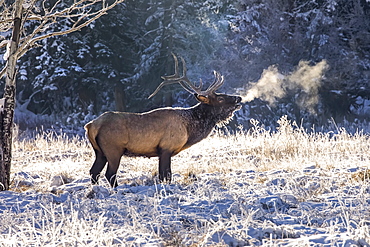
x=83 y=12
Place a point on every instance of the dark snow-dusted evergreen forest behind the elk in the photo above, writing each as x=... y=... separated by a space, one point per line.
x=117 y=62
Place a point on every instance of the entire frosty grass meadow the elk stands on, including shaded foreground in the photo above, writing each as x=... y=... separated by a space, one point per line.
x=290 y=187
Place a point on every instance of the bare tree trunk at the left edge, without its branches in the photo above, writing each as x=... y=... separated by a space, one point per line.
x=6 y=120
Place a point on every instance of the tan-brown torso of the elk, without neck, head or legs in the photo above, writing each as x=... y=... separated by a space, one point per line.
x=140 y=134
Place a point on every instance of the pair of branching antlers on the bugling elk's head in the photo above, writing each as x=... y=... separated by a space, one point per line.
x=186 y=83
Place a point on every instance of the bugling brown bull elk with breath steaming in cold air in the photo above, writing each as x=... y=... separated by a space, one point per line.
x=162 y=132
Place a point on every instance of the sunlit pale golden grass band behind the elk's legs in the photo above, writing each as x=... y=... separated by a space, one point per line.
x=290 y=147
